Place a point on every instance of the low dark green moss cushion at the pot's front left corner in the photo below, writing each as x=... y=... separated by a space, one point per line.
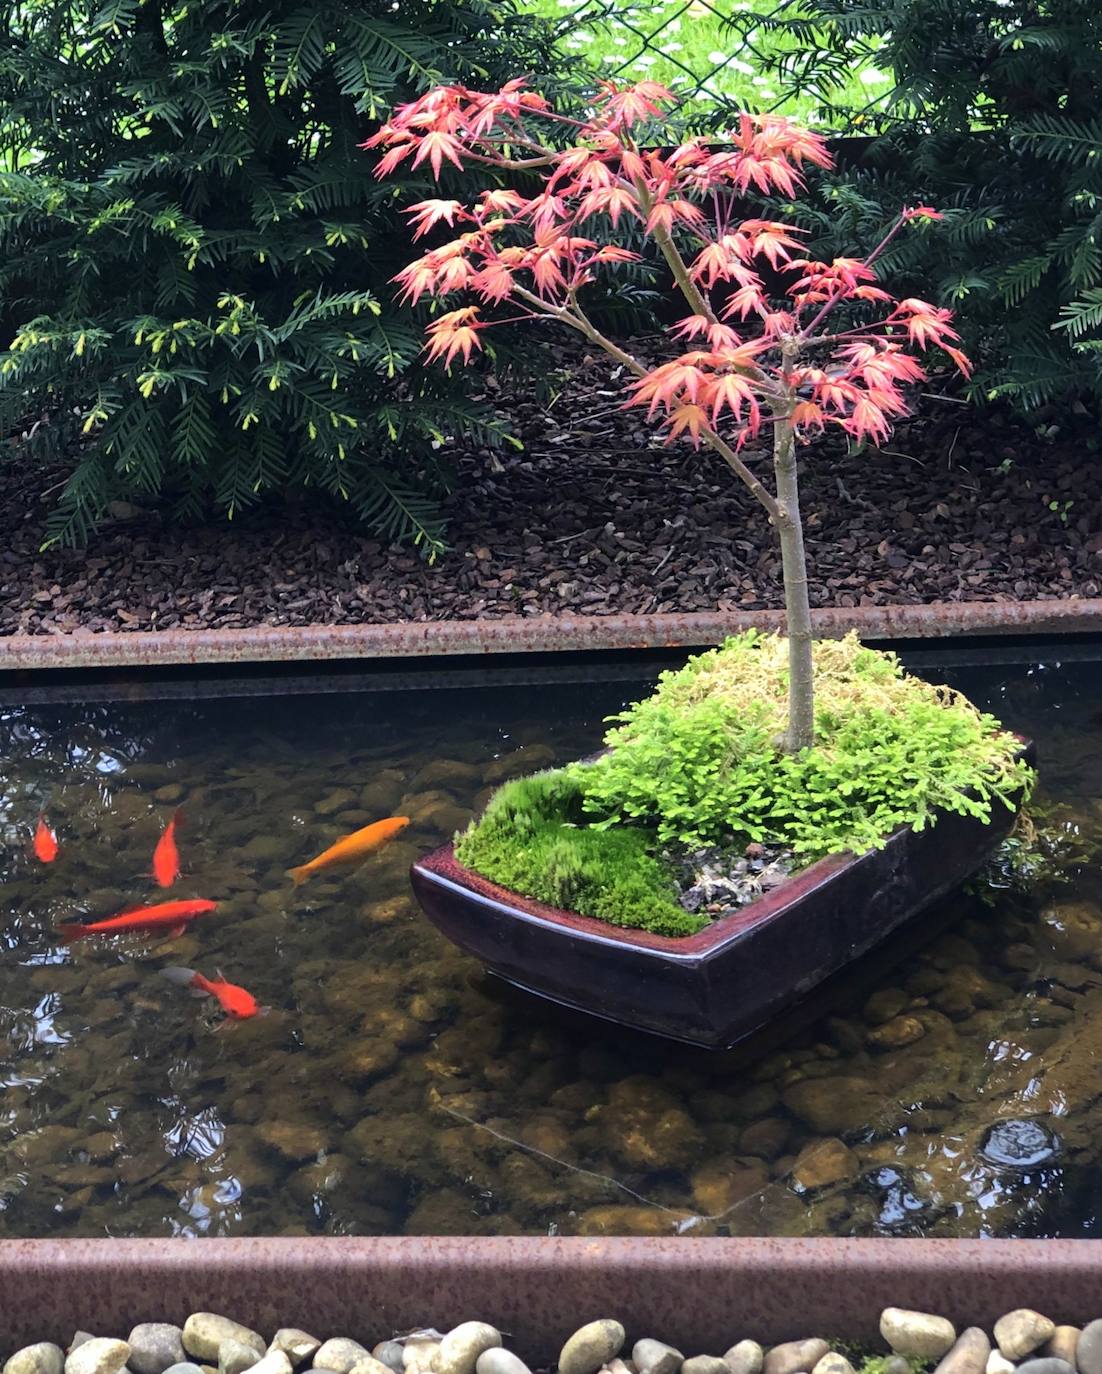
x=534 y=839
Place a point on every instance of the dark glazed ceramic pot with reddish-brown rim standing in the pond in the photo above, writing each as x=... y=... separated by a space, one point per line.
x=719 y=986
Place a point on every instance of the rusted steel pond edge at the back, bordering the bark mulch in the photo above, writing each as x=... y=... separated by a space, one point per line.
x=535 y=635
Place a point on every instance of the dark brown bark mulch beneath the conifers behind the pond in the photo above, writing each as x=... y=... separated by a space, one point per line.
x=596 y=517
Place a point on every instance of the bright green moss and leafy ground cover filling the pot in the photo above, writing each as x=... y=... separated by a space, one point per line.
x=703 y=762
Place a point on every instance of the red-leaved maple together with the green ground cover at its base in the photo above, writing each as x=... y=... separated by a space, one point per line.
x=826 y=348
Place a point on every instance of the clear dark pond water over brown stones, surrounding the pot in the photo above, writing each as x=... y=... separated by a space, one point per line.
x=947 y=1090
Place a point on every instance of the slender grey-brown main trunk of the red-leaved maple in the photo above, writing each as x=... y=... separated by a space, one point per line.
x=794 y=560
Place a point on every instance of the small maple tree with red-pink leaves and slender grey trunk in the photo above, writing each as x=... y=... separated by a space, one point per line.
x=777 y=341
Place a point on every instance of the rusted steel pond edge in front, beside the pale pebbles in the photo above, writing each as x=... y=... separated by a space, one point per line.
x=701 y=1295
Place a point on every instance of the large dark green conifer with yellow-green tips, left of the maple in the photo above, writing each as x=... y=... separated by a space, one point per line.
x=194 y=254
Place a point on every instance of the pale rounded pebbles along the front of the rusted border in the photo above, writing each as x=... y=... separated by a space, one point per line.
x=916 y=1342
